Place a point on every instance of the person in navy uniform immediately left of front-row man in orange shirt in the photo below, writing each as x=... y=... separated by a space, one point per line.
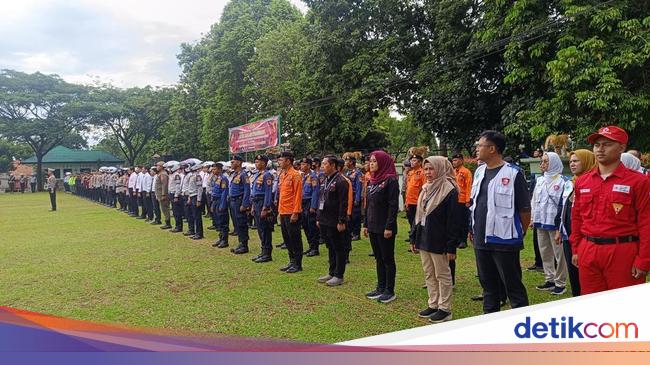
x=262 y=197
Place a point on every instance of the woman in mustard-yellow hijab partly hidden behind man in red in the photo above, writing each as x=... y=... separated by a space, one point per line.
x=580 y=161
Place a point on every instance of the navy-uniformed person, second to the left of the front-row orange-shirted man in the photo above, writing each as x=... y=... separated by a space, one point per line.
x=239 y=196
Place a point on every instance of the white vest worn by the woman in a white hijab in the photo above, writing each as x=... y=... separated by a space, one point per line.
x=547 y=200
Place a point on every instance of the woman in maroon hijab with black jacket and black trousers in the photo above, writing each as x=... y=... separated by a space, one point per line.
x=382 y=204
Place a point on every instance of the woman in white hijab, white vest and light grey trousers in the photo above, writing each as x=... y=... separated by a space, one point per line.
x=546 y=212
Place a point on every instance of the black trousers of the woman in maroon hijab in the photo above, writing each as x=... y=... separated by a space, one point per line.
x=384 y=251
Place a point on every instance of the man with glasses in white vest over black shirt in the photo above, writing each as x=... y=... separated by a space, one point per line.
x=500 y=214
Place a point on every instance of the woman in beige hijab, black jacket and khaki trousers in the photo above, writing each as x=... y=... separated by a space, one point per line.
x=438 y=230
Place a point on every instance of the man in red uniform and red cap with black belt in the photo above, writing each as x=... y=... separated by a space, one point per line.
x=610 y=222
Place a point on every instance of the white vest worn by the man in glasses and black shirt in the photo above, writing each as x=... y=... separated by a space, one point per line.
x=502 y=225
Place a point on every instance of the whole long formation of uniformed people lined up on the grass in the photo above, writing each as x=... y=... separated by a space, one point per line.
x=330 y=199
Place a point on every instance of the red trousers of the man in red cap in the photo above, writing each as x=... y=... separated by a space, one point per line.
x=605 y=267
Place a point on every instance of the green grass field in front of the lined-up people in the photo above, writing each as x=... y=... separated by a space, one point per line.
x=89 y=262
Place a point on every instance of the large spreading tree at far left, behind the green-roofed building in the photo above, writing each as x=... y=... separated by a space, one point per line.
x=42 y=111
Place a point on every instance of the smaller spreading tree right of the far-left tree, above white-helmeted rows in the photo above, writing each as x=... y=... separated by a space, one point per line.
x=133 y=117
